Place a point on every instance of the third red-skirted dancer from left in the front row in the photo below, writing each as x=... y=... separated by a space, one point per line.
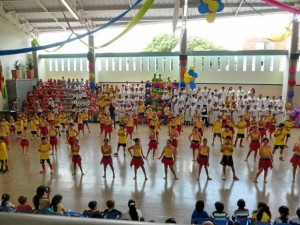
x=137 y=157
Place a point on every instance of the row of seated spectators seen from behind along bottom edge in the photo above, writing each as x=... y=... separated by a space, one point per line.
x=43 y=205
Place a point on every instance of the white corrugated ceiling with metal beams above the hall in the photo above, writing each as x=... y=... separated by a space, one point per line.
x=36 y=16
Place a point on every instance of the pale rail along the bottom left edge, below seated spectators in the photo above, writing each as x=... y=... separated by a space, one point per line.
x=32 y=219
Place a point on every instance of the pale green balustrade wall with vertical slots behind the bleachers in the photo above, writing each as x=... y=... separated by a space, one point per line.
x=110 y=66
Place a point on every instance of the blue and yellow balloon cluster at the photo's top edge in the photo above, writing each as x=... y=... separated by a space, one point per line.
x=210 y=8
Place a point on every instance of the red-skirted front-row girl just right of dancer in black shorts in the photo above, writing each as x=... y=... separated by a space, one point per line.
x=265 y=161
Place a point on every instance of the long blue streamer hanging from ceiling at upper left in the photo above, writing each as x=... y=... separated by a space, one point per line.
x=37 y=48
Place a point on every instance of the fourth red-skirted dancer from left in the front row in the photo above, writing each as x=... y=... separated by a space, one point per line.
x=168 y=156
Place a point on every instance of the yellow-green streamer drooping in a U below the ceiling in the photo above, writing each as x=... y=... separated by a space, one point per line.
x=143 y=10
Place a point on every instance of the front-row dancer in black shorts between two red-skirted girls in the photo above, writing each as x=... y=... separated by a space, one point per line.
x=227 y=150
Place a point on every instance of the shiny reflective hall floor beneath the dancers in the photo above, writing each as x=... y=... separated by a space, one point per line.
x=158 y=199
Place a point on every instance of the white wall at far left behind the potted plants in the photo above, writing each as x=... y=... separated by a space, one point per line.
x=11 y=38
